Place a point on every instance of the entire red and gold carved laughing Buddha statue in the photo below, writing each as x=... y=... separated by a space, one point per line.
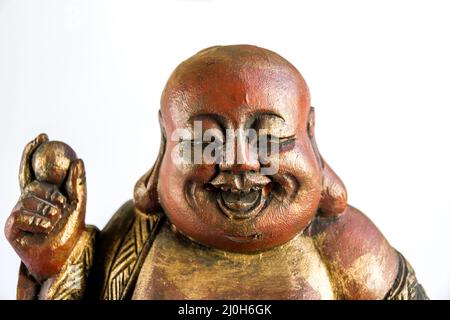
x=239 y=204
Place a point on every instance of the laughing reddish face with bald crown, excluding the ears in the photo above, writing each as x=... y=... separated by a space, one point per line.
x=246 y=201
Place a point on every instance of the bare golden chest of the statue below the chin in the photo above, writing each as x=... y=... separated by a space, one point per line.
x=176 y=268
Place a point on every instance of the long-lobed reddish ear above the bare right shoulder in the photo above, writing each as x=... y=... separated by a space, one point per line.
x=334 y=194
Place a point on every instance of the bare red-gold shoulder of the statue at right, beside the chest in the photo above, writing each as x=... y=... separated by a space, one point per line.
x=361 y=262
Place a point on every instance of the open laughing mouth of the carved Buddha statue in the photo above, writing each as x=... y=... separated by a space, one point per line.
x=242 y=204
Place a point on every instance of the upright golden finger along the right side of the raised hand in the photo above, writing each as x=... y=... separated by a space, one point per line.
x=76 y=187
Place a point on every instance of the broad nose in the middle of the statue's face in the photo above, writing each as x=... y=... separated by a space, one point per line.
x=243 y=157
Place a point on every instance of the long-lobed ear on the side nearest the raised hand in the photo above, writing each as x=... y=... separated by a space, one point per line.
x=146 y=188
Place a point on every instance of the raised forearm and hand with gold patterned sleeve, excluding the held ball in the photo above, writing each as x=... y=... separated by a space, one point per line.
x=46 y=228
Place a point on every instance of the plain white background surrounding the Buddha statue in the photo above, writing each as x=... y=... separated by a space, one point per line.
x=91 y=72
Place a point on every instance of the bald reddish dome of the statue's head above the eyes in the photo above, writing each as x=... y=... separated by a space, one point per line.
x=231 y=79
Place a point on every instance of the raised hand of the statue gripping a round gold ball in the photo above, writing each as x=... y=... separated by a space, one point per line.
x=48 y=219
